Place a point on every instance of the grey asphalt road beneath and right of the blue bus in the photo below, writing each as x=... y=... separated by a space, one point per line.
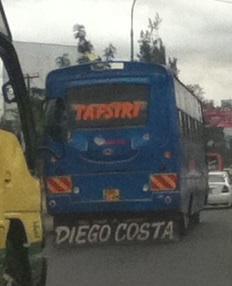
x=202 y=258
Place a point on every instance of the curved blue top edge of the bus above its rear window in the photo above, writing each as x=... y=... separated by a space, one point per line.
x=56 y=80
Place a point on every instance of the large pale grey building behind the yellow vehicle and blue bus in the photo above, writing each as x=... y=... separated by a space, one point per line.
x=37 y=60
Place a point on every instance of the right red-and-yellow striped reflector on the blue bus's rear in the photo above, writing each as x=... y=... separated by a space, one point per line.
x=163 y=182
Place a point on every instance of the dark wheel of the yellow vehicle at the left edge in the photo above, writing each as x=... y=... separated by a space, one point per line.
x=17 y=266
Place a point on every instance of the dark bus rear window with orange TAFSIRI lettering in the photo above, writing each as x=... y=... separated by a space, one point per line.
x=108 y=105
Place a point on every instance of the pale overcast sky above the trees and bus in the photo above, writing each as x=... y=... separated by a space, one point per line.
x=197 y=32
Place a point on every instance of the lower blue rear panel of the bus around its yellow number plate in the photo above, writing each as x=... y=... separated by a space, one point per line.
x=112 y=192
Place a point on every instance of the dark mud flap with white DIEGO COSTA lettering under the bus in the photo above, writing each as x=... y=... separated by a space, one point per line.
x=70 y=231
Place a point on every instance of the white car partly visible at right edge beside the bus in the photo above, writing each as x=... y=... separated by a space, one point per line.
x=220 y=189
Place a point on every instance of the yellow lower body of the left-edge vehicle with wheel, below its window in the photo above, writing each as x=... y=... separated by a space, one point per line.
x=20 y=221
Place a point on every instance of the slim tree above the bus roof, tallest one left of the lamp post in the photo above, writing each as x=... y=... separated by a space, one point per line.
x=84 y=47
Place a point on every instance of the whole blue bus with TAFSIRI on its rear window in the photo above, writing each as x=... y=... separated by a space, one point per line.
x=125 y=155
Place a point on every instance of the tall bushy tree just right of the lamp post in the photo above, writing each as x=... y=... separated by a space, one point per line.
x=152 y=49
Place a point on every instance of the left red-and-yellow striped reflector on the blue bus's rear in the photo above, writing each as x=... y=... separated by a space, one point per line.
x=59 y=184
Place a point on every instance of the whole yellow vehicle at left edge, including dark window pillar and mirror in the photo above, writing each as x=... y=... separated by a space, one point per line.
x=21 y=233
